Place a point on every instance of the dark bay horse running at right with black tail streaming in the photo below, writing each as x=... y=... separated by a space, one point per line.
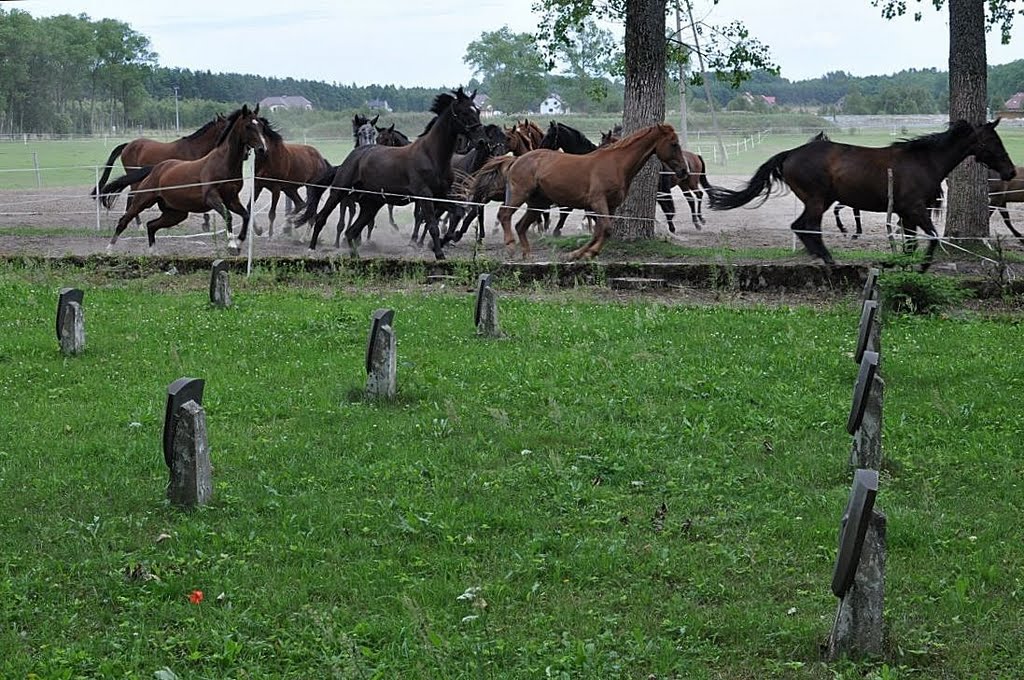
x=822 y=173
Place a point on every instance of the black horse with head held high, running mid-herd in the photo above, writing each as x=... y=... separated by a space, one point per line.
x=382 y=176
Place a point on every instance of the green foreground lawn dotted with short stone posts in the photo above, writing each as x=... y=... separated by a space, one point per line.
x=636 y=489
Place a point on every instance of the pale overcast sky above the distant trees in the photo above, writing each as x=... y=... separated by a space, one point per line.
x=422 y=42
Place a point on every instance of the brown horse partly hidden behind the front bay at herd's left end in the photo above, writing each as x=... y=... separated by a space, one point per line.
x=144 y=151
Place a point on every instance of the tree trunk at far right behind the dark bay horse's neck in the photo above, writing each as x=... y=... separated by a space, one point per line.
x=967 y=215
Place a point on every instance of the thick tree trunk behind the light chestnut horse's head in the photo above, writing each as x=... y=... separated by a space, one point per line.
x=645 y=105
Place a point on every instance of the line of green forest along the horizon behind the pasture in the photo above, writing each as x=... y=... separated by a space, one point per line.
x=67 y=74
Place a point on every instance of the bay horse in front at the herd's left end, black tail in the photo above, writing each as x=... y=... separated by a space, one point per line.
x=211 y=183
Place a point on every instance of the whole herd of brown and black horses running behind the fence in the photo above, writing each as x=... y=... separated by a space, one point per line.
x=458 y=165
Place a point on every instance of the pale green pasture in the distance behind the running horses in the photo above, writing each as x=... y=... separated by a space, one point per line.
x=74 y=163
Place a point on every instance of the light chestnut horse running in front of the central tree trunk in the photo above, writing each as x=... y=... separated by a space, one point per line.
x=598 y=183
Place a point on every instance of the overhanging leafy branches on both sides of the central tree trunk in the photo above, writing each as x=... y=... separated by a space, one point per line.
x=730 y=52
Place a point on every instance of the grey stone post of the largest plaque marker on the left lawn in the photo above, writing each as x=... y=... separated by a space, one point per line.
x=191 y=482
